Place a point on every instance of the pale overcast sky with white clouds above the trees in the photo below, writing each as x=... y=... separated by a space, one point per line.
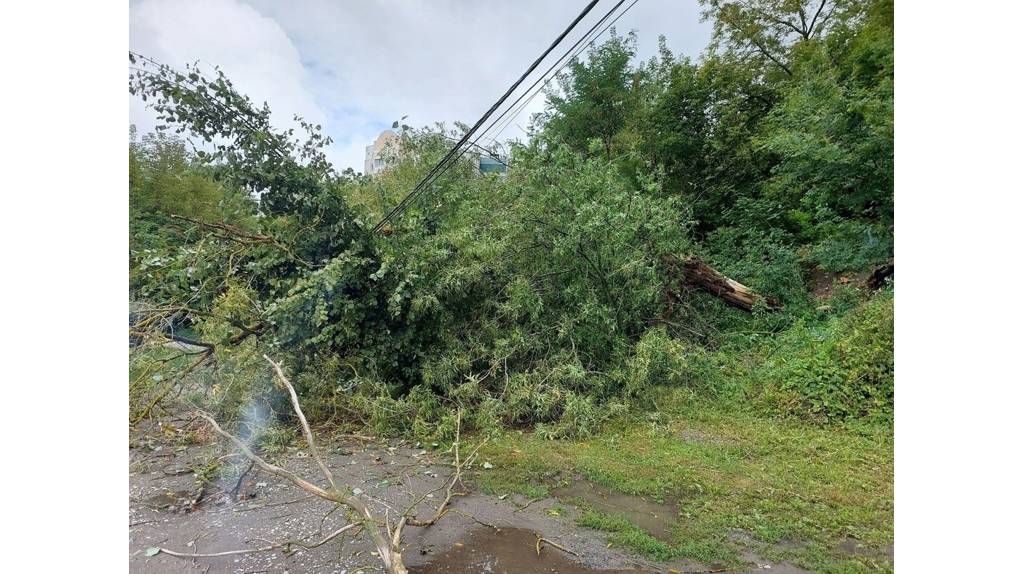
x=355 y=67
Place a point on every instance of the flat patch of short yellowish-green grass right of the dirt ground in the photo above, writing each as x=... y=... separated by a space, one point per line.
x=795 y=492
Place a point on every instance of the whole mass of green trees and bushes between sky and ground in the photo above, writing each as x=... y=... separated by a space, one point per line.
x=541 y=298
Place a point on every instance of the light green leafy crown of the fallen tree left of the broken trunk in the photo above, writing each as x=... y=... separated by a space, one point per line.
x=523 y=304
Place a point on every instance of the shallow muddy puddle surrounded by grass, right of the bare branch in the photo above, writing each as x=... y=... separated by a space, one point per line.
x=657 y=518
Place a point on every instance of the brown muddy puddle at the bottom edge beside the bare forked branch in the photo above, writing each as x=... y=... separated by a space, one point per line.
x=506 y=551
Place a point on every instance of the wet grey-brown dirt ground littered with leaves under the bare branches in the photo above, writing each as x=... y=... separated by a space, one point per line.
x=482 y=534
